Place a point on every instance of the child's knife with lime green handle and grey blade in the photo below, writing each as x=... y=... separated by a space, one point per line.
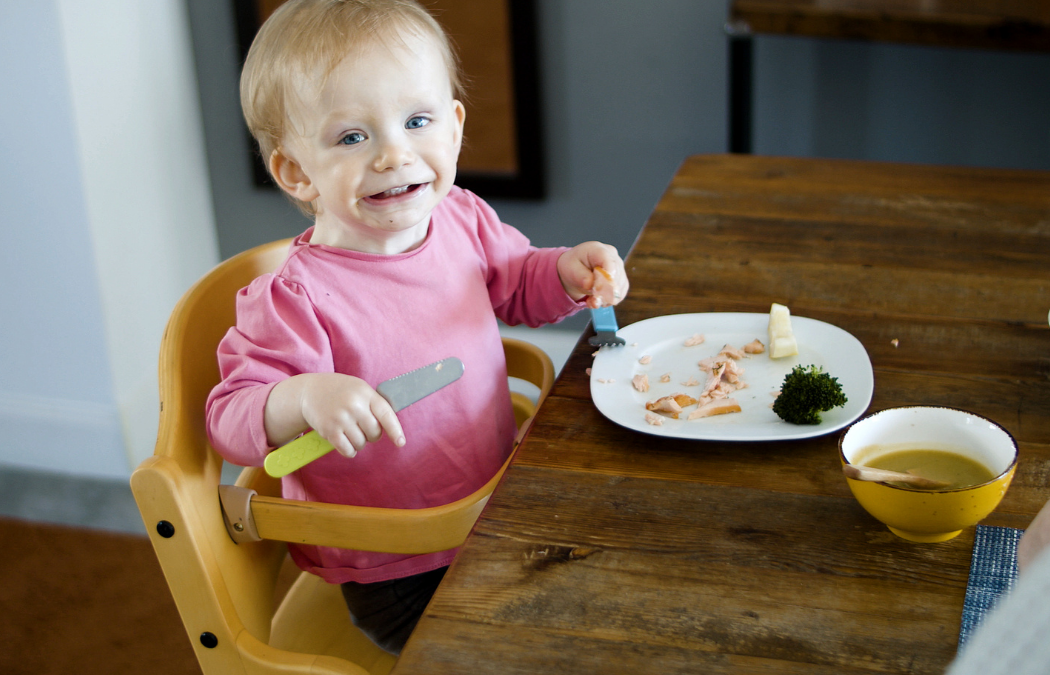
x=402 y=392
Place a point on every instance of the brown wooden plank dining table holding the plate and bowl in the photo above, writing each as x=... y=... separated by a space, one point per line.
x=610 y=551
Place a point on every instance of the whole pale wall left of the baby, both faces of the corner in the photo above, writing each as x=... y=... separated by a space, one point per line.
x=107 y=219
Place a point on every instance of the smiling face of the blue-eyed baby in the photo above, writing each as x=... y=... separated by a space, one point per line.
x=377 y=147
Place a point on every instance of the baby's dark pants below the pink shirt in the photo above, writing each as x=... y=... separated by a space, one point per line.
x=388 y=611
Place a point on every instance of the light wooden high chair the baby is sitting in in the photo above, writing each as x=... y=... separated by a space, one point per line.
x=225 y=589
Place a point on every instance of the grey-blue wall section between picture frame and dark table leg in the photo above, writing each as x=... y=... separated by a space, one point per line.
x=629 y=90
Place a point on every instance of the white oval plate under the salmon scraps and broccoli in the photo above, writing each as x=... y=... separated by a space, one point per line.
x=839 y=353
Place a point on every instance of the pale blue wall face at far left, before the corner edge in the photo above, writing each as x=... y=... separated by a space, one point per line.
x=56 y=391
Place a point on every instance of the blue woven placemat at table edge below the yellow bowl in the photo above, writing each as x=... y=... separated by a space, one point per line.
x=994 y=571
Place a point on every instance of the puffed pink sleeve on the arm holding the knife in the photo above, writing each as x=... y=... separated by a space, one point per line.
x=279 y=334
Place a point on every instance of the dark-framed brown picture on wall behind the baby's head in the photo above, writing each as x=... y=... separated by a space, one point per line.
x=497 y=41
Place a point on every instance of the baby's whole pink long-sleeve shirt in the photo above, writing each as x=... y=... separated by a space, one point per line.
x=377 y=317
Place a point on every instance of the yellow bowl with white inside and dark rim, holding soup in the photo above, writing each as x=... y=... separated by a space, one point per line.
x=973 y=458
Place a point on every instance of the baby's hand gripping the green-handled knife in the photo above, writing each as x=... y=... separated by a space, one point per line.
x=344 y=410
